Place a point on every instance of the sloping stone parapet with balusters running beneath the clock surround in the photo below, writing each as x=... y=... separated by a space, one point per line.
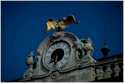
x=101 y=70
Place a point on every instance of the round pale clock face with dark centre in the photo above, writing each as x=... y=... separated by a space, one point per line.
x=57 y=55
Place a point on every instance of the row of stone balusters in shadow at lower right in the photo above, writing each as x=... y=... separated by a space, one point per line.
x=108 y=70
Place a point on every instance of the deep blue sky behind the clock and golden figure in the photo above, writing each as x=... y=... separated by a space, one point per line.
x=23 y=25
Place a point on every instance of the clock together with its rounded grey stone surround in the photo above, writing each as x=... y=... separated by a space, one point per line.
x=59 y=52
